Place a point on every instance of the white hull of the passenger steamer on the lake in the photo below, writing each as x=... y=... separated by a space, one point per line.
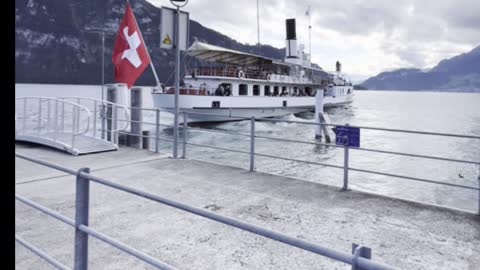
x=200 y=107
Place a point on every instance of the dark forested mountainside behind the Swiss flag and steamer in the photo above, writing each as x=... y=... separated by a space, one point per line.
x=54 y=42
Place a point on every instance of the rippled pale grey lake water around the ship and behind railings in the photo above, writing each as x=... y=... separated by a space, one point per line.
x=457 y=113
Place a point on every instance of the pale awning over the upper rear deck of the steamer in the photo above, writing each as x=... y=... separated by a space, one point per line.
x=212 y=53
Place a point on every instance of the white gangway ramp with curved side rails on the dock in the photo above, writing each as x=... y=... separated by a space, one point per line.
x=72 y=124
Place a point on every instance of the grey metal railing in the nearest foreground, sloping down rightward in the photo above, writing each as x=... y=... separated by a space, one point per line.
x=360 y=259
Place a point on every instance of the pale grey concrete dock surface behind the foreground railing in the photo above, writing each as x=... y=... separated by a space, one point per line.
x=402 y=234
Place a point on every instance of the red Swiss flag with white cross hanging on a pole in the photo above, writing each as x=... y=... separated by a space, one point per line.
x=130 y=55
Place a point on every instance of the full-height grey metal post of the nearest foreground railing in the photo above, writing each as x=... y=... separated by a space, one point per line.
x=81 y=218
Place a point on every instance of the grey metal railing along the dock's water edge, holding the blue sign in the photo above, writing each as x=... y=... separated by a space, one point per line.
x=346 y=149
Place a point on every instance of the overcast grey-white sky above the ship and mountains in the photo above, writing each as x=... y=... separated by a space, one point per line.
x=367 y=36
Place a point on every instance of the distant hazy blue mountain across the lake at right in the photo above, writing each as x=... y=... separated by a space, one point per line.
x=459 y=73
